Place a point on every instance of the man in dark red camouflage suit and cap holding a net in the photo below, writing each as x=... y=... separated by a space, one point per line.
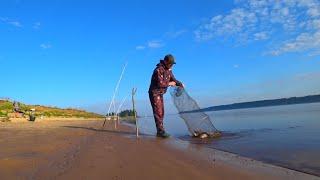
x=162 y=78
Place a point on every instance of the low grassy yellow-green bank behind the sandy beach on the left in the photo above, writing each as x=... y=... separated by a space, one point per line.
x=6 y=107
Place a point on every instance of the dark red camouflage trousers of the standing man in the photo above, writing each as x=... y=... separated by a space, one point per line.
x=156 y=101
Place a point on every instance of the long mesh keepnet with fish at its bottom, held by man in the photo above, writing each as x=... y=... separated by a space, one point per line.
x=199 y=123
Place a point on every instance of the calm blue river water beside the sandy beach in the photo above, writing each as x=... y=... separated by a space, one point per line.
x=287 y=136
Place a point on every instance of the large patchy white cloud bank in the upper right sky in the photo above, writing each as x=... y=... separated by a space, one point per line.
x=292 y=25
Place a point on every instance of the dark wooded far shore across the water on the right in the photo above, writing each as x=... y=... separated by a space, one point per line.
x=264 y=103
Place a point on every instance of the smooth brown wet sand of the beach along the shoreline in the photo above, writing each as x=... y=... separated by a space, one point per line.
x=82 y=150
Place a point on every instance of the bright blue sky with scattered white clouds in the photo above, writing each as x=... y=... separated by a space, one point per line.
x=68 y=54
